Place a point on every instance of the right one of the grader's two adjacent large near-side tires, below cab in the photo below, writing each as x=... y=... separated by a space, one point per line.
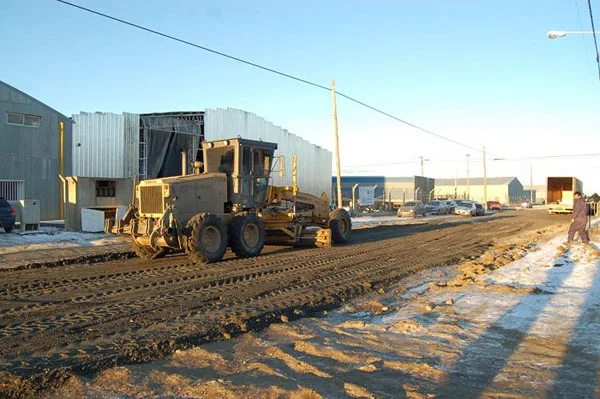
x=246 y=236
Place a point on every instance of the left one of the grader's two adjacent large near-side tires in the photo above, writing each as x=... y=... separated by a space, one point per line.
x=208 y=241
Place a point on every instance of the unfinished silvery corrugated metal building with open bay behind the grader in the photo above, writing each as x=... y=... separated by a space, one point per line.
x=109 y=145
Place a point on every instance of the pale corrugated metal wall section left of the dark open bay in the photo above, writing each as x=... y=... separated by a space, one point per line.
x=105 y=145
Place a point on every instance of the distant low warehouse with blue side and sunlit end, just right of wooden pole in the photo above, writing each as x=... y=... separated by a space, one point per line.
x=396 y=190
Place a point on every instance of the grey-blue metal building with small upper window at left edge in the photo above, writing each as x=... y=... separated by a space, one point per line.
x=30 y=151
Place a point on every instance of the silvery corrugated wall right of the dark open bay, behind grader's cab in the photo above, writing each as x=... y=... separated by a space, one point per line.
x=314 y=162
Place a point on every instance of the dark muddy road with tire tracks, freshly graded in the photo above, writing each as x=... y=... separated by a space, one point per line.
x=82 y=318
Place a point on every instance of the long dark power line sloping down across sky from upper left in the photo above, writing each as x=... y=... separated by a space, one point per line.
x=264 y=68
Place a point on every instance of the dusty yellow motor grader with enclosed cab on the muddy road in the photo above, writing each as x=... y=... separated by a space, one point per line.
x=227 y=202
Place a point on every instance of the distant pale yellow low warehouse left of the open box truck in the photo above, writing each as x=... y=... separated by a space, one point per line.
x=506 y=190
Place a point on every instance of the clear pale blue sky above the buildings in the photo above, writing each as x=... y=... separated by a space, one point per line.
x=481 y=72
